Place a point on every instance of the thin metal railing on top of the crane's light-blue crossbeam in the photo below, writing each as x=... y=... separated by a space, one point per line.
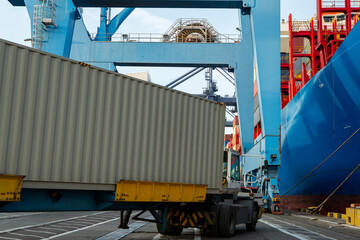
x=158 y=37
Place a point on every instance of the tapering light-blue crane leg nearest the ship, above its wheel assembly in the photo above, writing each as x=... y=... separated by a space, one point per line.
x=266 y=36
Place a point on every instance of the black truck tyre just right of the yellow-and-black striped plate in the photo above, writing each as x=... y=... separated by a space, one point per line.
x=227 y=221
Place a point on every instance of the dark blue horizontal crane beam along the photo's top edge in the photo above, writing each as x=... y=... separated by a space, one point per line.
x=157 y=3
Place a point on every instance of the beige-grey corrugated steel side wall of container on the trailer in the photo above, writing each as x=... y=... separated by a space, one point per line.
x=63 y=122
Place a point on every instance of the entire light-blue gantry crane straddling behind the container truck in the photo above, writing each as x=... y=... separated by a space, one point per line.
x=58 y=27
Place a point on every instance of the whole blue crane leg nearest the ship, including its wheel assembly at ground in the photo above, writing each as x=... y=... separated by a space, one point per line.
x=265 y=24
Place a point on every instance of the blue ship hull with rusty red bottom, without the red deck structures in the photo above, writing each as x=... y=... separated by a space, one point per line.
x=321 y=117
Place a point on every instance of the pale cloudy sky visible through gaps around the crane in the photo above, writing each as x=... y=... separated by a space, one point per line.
x=15 y=26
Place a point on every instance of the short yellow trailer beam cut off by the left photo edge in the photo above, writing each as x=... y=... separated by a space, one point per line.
x=10 y=187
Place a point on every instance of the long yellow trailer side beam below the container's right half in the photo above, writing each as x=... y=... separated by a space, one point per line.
x=143 y=191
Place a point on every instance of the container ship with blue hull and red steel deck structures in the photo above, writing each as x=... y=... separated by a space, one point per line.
x=321 y=109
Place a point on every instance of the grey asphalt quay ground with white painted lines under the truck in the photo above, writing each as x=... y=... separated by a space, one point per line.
x=103 y=226
